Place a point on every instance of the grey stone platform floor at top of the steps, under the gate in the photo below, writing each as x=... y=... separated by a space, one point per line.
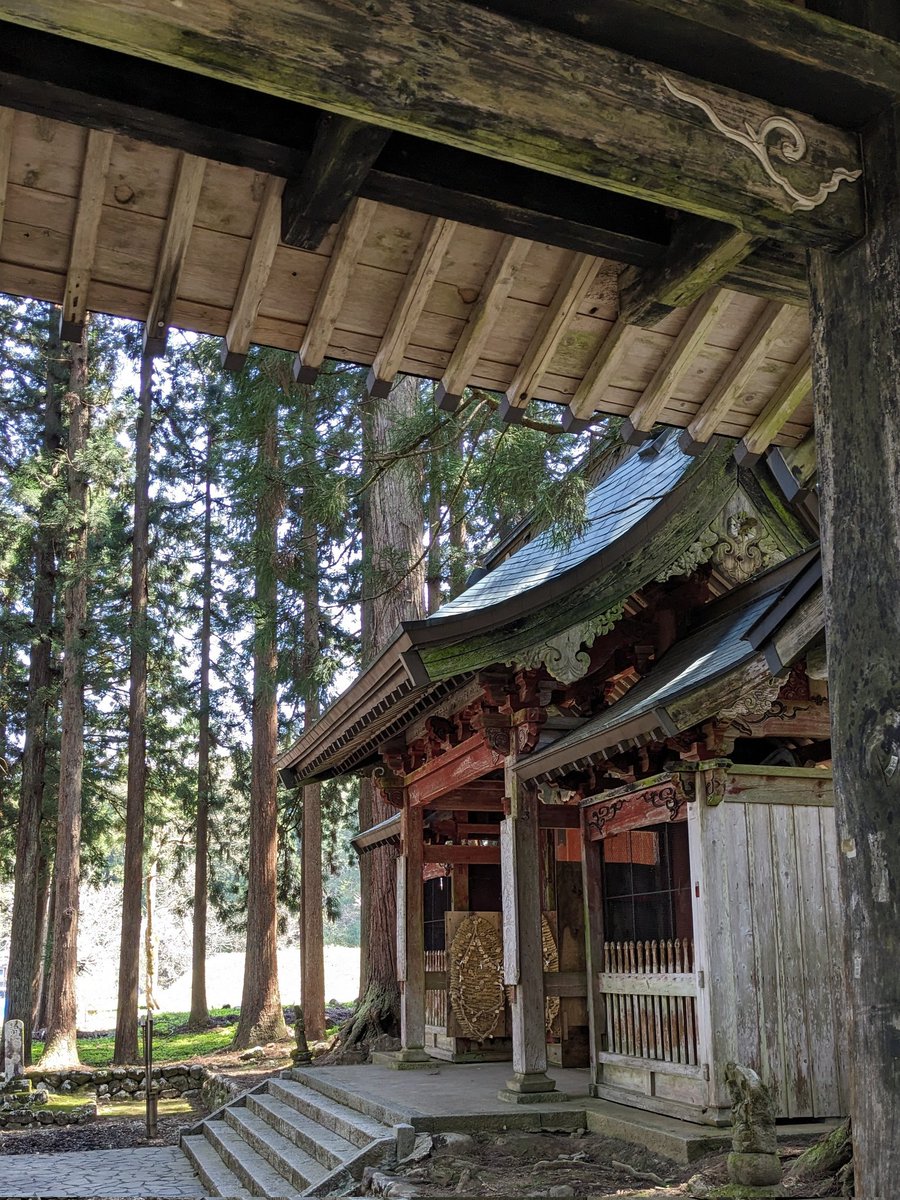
x=464 y=1097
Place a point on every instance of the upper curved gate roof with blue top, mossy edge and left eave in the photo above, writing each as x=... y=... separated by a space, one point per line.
x=643 y=518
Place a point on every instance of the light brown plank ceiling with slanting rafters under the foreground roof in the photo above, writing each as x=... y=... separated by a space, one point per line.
x=103 y=223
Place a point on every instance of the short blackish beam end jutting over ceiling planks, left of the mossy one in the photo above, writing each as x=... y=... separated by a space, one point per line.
x=343 y=155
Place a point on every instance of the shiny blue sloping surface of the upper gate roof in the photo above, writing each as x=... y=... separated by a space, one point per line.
x=615 y=507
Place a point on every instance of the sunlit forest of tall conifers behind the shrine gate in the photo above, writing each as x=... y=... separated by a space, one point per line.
x=193 y=565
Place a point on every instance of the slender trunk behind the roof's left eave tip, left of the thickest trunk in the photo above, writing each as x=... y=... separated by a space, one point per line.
x=313 y=955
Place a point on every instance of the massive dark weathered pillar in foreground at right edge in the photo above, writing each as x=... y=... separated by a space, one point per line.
x=856 y=338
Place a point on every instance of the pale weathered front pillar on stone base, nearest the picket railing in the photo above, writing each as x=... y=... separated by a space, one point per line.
x=523 y=947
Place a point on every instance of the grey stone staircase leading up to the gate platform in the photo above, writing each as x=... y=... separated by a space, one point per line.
x=289 y=1139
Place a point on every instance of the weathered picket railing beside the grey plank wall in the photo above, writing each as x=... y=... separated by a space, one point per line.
x=651 y=991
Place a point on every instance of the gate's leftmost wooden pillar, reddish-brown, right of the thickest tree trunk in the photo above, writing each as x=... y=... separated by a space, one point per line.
x=411 y=941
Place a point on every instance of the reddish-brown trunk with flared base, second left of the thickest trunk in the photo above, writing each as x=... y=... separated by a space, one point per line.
x=262 y=1018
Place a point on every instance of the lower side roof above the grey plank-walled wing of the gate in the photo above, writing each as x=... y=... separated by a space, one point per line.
x=734 y=639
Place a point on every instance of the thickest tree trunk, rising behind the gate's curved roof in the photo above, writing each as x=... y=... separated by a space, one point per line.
x=393 y=591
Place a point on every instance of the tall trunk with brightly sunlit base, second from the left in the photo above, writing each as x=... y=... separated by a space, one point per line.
x=61 y=1048
